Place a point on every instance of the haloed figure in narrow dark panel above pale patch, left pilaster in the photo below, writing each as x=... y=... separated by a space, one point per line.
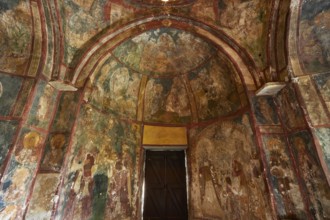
x=53 y=158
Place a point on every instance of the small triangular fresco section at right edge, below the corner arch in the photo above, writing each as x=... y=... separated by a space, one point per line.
x=322 y=82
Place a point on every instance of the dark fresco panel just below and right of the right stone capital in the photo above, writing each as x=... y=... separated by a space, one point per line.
x=289 y=108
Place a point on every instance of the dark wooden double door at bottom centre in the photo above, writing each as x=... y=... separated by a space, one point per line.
x=165 y=185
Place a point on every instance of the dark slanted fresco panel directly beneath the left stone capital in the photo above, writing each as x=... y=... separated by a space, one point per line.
x=66 y=111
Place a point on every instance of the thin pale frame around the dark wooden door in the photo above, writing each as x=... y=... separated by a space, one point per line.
x=163 y=148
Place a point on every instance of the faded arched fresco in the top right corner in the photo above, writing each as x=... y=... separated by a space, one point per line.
x=314 y=36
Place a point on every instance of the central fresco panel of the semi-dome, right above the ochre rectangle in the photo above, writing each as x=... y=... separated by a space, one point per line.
x=166 y=100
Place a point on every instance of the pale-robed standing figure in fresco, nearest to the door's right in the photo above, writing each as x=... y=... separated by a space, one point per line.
x=208 y=181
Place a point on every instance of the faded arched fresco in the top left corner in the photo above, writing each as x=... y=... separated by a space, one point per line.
x=15 y=36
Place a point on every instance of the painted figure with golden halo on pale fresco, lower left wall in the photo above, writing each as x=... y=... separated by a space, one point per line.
x=29 y=152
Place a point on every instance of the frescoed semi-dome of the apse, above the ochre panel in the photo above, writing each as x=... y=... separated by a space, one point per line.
x=166 y=75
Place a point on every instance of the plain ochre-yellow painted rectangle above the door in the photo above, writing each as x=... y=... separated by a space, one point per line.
x=161 y=135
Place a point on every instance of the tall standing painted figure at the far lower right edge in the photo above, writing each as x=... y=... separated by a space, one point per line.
x=318 y=190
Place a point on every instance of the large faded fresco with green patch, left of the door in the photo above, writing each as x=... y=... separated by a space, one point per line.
x=102 y=177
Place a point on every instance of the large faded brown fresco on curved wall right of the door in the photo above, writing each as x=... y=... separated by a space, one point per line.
x=226 y=178
